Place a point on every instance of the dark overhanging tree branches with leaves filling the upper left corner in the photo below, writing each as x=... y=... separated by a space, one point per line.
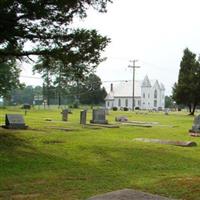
x=47 y=25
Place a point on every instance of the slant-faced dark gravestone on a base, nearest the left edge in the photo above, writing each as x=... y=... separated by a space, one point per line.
x=14 y=121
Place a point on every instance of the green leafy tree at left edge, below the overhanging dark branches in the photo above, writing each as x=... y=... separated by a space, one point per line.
x=9 y=77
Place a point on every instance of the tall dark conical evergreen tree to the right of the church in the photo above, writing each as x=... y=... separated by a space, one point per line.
x=186 y=90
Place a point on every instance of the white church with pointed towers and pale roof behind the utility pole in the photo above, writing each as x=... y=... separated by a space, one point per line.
x=148 y=95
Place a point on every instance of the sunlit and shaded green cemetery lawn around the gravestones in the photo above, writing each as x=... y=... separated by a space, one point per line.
x=44 y=162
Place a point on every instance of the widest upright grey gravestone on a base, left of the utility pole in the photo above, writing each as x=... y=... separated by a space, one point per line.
x=99 y=116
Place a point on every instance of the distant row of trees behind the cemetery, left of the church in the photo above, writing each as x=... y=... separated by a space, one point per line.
x=89 y=92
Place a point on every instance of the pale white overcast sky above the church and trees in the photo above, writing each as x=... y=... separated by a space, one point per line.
x=154 y=32
